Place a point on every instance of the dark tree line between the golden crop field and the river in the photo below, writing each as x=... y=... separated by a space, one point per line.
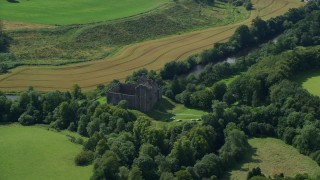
x=244 y=38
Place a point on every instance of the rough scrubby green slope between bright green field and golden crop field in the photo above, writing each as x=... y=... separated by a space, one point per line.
x=77 y=43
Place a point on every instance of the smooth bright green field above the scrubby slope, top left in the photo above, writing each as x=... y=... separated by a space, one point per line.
x=73 y=11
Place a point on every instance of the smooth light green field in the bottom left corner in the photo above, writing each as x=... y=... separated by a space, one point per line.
x=37 y=153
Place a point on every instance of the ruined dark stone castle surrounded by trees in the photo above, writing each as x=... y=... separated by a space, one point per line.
x=142 y=95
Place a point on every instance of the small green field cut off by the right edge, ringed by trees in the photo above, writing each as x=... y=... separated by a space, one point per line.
x=310 y=81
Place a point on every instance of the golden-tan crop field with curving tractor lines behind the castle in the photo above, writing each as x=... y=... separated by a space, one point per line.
x=152 y=55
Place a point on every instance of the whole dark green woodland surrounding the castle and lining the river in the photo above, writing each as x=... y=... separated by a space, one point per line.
x=262 y=101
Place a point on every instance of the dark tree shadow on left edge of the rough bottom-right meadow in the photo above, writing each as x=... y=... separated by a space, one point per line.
x=249 y=157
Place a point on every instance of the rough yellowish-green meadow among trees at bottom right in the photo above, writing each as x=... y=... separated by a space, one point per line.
x=273 y=156
